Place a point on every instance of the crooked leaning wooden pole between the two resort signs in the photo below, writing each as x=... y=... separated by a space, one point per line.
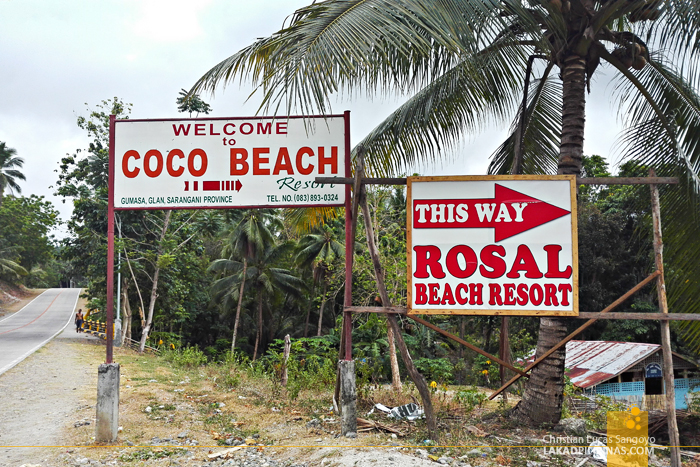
x=416 y=377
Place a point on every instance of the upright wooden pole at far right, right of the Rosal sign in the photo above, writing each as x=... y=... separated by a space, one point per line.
x=674 y=439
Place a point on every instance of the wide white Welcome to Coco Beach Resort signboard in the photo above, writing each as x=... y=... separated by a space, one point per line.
x=231 y=162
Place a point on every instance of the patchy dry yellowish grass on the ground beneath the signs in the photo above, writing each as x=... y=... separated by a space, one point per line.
x=213 y=403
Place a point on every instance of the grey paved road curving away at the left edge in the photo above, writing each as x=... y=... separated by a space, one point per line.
x=26 y=331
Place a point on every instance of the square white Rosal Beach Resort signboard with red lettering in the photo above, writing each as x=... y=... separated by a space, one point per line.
x=492 y=245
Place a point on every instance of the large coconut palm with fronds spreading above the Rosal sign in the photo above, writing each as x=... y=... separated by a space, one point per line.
x=465 y=62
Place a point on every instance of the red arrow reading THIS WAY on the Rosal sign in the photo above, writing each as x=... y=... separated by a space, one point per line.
x=509 y=213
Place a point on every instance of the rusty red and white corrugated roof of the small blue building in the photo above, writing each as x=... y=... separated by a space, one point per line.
x=592 y=362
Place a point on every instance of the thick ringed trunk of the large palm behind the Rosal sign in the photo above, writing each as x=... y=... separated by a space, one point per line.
x=543 y=397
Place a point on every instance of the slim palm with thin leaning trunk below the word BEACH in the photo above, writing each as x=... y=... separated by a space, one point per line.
x=250 y=234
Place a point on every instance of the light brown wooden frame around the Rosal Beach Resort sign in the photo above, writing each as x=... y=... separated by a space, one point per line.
x=417 y=310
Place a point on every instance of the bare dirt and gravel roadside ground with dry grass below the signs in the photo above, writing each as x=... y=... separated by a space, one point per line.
x=185 y=417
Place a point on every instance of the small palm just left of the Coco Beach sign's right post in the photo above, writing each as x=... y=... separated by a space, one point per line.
x=319 y=251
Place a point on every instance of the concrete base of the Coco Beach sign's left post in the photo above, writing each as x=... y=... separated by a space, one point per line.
x=107 y=403
